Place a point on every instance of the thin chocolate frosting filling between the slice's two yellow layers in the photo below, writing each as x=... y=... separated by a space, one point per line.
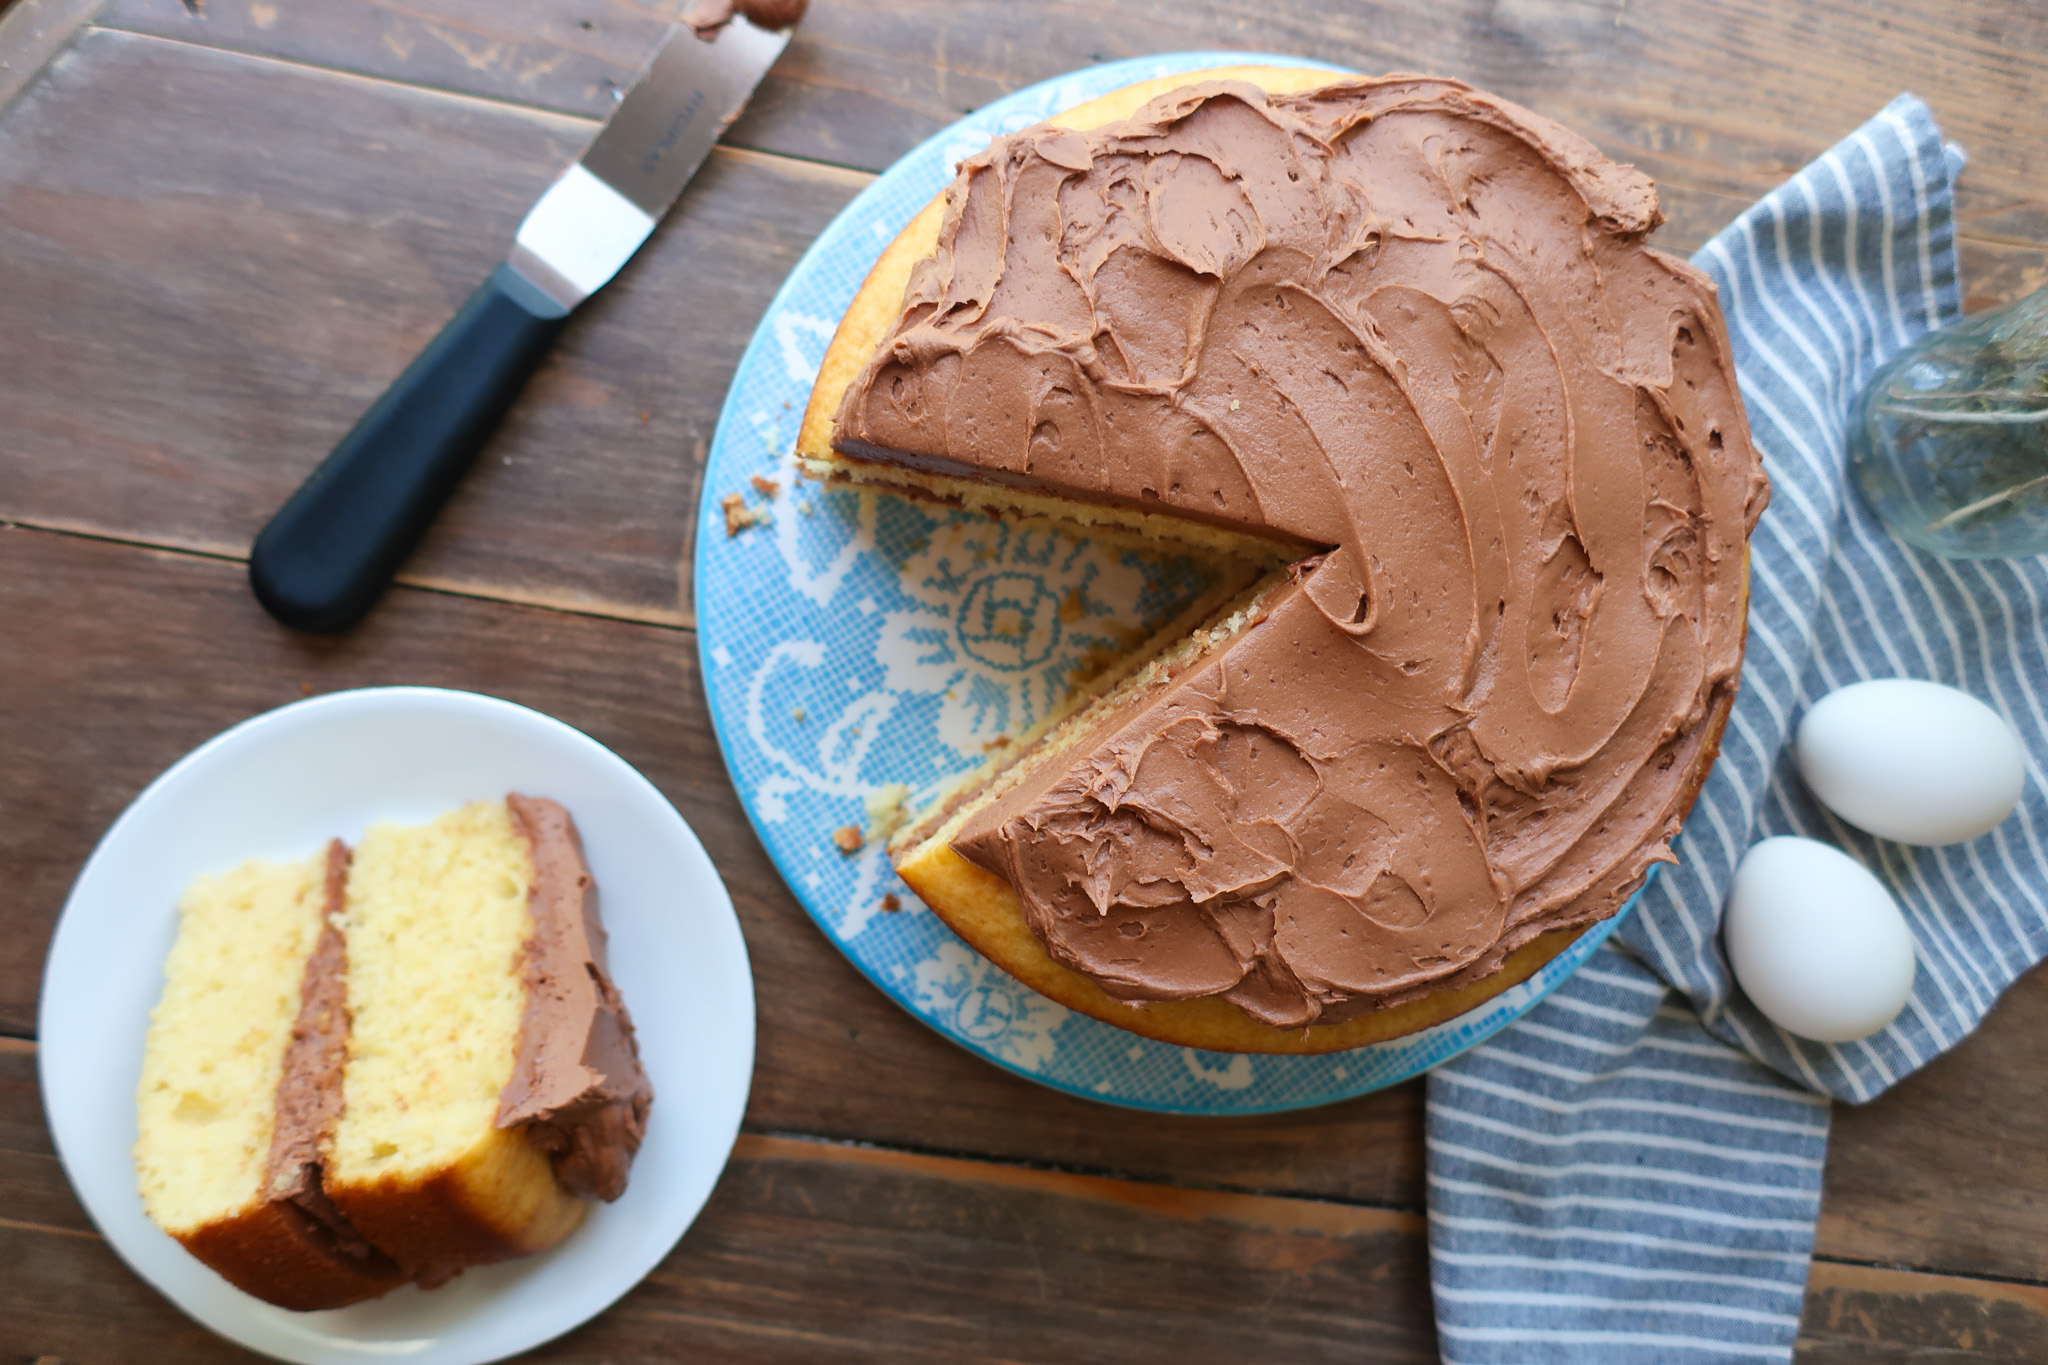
x=310 y=1092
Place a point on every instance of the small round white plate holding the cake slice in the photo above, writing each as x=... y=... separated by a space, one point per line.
x=280 y=787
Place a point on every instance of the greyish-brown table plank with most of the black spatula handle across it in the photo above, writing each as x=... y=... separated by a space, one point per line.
x=253 y=296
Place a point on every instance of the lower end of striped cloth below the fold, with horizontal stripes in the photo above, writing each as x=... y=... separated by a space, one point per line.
x=1611 y=1184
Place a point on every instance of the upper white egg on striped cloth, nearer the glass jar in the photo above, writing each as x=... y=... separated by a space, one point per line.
x=1912 y=760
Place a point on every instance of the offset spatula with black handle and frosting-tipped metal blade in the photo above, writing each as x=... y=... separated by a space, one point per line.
x=333 y=547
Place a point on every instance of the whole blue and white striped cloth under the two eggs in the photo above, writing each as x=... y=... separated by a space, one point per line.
x=1633 y=1172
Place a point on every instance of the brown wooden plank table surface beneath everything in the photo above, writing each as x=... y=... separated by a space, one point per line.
x=228 y=224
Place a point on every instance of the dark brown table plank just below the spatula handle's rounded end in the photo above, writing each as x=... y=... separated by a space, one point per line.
x=142 y=656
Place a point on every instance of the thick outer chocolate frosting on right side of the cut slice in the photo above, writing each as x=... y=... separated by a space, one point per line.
x=579 y=1084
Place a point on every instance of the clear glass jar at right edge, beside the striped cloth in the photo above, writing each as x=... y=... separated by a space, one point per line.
x=1951 y=437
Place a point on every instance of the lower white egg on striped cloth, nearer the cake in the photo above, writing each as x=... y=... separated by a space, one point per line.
x=1818 y=942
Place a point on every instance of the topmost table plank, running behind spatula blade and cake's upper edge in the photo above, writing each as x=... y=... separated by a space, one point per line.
x=1727 y=97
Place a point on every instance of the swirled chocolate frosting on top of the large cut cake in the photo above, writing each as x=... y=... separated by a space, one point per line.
x=1416 y=328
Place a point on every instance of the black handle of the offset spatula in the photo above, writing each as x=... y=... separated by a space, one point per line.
x=335 y=545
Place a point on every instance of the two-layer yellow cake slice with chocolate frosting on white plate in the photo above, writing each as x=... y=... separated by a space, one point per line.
x=411 y=1059
